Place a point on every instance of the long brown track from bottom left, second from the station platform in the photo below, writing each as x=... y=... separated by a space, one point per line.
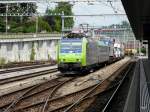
x=61 y=103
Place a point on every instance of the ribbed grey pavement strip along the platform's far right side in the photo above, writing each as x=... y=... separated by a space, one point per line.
x=144 y=85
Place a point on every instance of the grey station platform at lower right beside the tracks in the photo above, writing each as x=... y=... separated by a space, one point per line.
x=138 y=99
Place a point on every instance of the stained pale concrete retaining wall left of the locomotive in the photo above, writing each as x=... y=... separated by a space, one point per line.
x=18 y=51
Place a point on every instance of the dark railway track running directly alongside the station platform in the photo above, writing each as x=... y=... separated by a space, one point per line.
x=105 y=99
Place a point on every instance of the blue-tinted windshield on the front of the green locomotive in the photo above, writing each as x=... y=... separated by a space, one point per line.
x=71 y=46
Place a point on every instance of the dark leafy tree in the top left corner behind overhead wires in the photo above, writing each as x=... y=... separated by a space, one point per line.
x=15 y=22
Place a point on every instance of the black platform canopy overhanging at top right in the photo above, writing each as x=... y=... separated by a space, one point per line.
x=138 y=12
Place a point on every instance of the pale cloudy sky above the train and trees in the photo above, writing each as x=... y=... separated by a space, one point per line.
x=97 y=8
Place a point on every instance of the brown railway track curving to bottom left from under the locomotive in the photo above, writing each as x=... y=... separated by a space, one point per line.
x=41 y=92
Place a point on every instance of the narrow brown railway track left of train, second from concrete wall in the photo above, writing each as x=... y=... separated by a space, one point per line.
x=25 y=76
